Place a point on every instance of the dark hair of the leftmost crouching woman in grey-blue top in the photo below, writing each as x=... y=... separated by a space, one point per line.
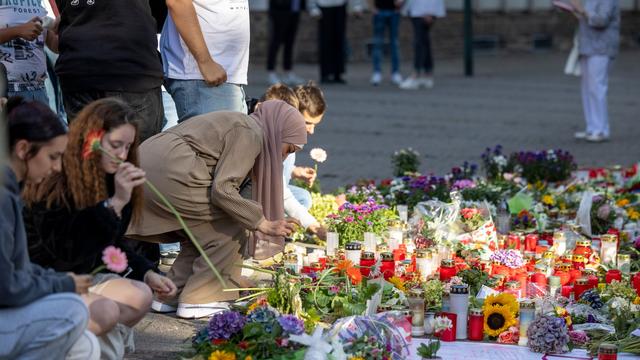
x=32 y=121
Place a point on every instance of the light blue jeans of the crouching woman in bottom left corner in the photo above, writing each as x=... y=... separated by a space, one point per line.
x=43 y=329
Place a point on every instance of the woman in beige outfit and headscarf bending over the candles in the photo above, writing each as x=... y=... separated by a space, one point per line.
x=201 y=165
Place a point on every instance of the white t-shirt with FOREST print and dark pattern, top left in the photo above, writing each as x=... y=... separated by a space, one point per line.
x=25 y=60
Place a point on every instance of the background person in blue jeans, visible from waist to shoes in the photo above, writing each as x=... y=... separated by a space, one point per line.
x=386 y=14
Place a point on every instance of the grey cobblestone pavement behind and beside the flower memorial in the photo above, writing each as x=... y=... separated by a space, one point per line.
x=522 y=101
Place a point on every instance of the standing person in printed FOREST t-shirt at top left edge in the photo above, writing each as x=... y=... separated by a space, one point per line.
x=22 y=39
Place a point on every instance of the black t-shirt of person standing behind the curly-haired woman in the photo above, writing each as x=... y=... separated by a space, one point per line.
x=108 y=45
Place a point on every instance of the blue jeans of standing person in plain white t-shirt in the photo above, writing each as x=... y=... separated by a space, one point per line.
x=195 y=97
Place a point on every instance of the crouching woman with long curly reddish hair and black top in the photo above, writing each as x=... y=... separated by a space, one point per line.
x=74 y=215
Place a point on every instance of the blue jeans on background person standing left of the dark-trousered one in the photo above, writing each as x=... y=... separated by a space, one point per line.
x=382 y=19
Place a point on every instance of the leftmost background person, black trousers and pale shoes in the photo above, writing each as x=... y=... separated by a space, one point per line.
x=284 y=16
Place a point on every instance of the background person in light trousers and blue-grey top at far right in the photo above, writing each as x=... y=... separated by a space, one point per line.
x=598 y=43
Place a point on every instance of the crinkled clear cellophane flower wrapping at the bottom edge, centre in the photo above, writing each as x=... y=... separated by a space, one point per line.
x=385 y=335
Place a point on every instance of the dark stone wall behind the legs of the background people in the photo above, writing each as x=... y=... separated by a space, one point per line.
x=510 y=30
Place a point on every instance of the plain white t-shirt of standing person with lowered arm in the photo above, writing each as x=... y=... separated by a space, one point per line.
x=225 y=26
